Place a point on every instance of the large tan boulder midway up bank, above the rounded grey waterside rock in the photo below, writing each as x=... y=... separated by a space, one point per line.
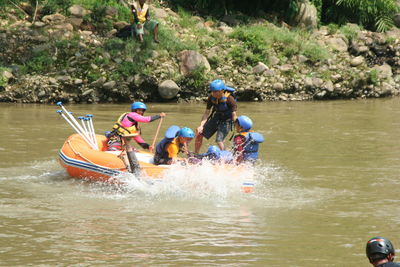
x=192 y=60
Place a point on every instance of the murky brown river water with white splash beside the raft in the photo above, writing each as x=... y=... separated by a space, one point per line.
x=328 y=181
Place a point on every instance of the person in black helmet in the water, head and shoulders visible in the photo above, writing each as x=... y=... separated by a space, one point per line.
x=380 y=252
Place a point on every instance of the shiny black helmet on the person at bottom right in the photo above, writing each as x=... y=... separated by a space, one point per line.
x=379 y=248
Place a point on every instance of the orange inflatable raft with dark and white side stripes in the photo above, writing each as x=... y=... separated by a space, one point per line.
x=82 y=161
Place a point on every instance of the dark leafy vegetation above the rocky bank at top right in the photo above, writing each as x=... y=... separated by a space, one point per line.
x=374 y=15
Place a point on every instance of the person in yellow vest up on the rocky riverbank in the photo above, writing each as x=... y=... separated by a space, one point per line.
x=141 y=20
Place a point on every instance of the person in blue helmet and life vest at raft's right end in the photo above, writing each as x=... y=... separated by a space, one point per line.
x=246 y=142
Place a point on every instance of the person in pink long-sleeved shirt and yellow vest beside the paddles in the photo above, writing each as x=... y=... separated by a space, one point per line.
x=128 y=125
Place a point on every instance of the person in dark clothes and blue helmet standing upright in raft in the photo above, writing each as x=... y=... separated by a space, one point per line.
x=223 y=113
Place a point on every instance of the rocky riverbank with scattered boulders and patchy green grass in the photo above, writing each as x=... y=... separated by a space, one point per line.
x=76 y=57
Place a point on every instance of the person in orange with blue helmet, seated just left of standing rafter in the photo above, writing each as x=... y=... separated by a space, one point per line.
x=175 y=141
